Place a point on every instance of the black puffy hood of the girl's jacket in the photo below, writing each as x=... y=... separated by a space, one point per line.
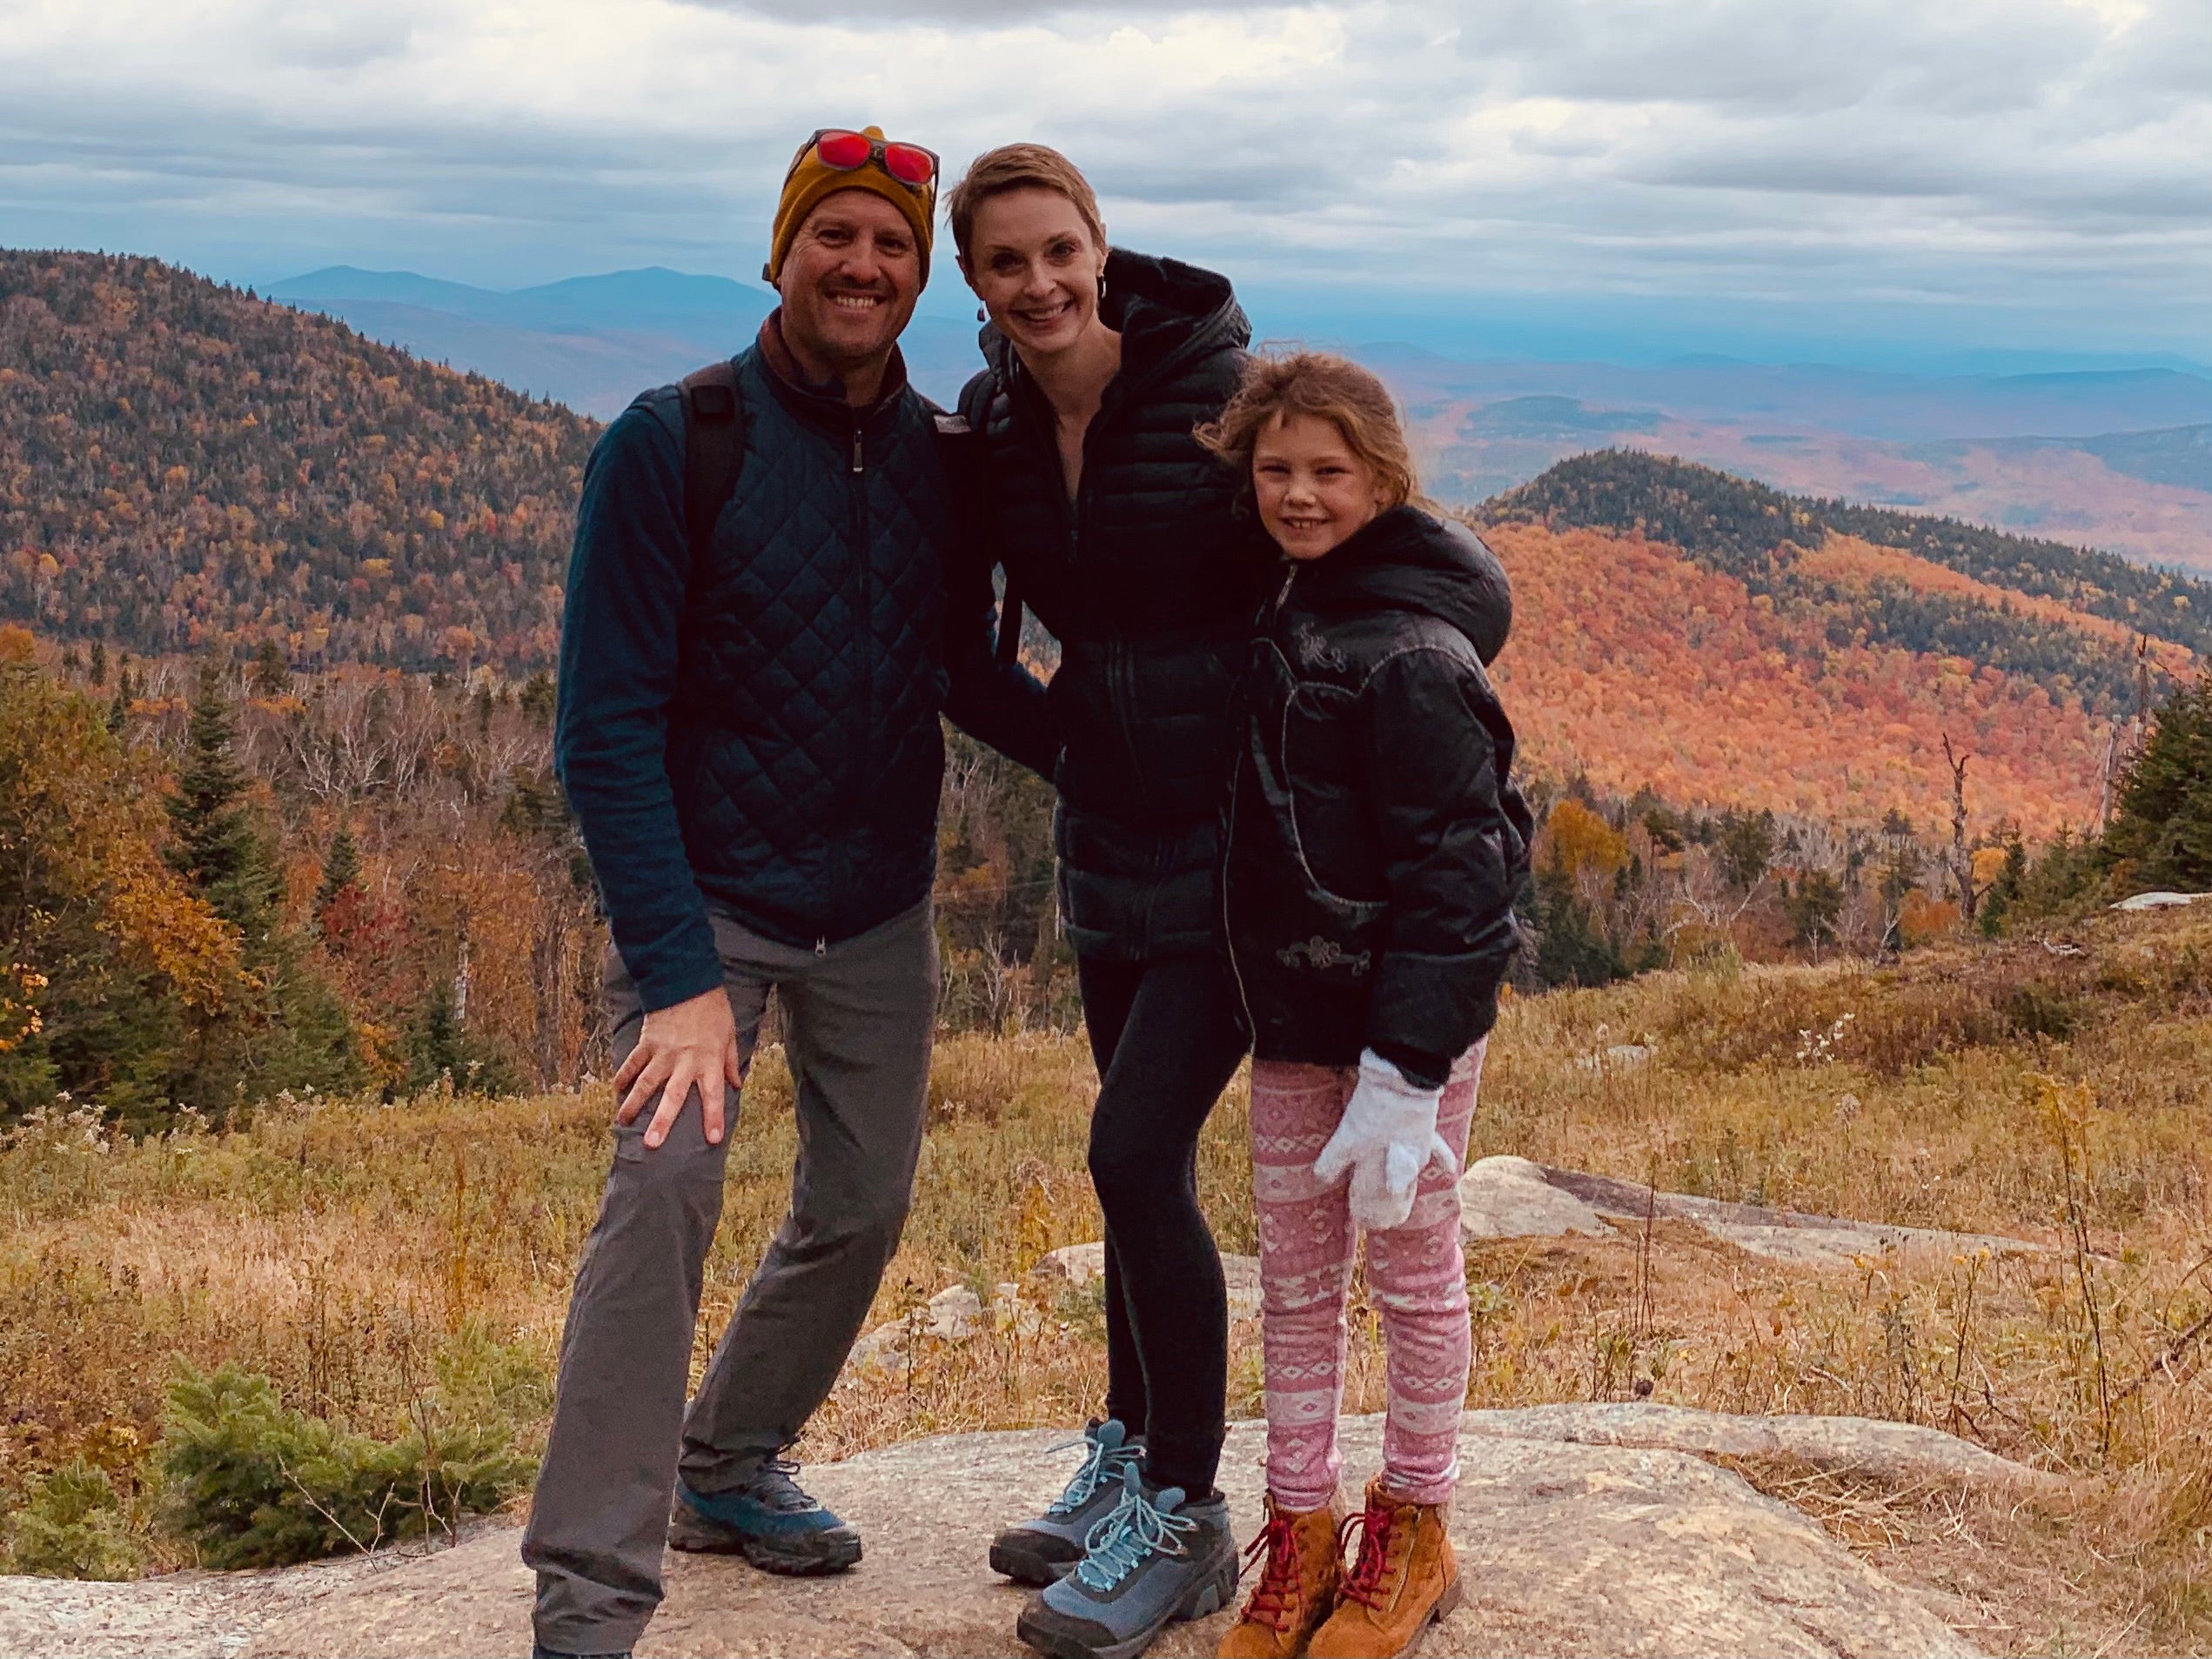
x=1410 y=561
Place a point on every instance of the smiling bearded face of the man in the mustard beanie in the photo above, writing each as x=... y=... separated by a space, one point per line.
x=848 y=282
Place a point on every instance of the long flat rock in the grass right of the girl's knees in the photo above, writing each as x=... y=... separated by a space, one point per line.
x=1512 y=1198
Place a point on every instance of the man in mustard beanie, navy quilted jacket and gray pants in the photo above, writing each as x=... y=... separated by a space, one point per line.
x=749 y=731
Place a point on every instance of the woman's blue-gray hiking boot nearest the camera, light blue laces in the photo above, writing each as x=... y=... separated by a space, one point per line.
x=1149 y=1563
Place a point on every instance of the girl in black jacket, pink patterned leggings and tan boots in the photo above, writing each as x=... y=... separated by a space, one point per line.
x=1373 y=853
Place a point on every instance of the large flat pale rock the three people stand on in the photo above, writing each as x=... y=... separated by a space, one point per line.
x=1567 y=1550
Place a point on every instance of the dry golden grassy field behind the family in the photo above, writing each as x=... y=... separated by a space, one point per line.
x=375 y=1258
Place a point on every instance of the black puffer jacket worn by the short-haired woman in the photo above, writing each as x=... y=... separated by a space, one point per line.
x=1151 y=583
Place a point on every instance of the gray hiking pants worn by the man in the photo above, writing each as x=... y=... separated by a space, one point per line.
x=857 y=1034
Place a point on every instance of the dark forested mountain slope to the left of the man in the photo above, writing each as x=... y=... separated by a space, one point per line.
x=182 y=466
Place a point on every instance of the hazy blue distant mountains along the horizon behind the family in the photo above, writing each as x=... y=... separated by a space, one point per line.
x=2001 y=448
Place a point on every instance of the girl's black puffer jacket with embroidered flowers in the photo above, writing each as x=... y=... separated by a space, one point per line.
x=1375 y=833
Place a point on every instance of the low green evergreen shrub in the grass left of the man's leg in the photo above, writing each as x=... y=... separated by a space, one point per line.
x=253 y=1483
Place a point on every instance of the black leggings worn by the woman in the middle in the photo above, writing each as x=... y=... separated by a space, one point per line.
x=1167 y=1039
